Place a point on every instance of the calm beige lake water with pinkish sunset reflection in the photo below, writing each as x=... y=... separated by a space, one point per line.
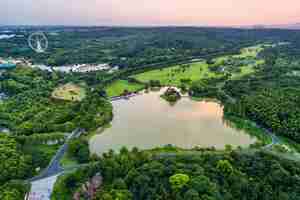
x=146 y=121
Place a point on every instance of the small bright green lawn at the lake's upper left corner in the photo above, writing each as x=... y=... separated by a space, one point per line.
x=118 y=87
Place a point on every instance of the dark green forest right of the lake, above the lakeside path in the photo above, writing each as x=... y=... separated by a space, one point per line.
x=270 y=96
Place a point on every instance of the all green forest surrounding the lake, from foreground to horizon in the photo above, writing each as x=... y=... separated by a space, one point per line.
x=268 y=94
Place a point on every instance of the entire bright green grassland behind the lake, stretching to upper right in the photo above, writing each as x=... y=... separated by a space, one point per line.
x=172 y=75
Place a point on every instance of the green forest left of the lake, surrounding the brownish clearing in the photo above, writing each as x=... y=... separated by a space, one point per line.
x=34 y=118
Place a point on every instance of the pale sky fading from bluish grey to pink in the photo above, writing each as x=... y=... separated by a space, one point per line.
x=149 y=12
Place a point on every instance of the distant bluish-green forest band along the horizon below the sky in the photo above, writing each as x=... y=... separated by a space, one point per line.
x=134 y=47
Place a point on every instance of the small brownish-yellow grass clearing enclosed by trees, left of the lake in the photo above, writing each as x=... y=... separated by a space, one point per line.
x=69 y=92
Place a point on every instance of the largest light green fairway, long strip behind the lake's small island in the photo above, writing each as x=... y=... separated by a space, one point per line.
x=174 y=74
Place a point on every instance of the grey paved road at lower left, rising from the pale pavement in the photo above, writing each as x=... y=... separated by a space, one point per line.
x=54 y=167
